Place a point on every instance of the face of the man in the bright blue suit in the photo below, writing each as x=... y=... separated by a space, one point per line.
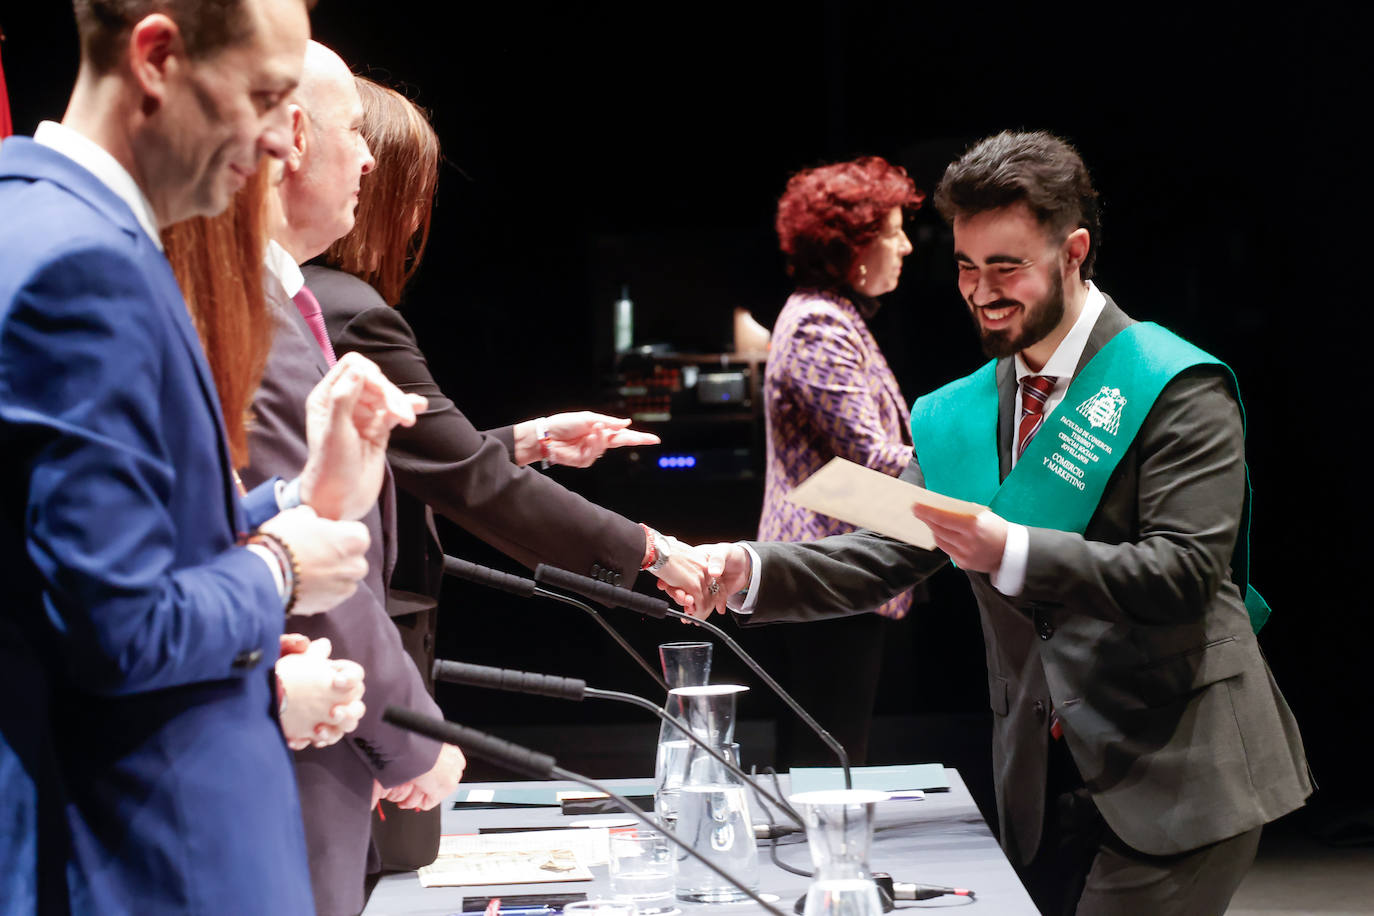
x=225 y=112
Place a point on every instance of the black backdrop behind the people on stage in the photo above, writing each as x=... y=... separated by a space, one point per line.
x=597 y=145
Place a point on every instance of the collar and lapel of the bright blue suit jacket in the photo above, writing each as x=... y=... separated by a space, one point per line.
x=28 y=160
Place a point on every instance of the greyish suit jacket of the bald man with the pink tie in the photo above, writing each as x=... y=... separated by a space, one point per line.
x=336 y=782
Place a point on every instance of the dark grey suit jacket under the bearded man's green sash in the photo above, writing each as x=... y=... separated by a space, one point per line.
x=1136 y=632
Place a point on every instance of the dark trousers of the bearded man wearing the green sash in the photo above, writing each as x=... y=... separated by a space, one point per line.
x=1085 y=870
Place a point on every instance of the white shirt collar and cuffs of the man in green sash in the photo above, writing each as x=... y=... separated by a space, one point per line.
x=1011 y=576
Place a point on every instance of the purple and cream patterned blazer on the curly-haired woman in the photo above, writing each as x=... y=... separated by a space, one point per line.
x=828 y=392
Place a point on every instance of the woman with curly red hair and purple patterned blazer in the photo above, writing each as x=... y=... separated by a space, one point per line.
x=829 y=392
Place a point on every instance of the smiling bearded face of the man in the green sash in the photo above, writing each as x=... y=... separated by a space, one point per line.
x=1012 y=275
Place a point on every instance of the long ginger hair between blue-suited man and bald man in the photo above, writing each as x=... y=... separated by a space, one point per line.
x=219 y=264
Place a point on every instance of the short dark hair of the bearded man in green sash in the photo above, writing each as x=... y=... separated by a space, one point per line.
x=1038 y=170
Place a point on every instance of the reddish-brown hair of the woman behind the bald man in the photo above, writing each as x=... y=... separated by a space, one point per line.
x=396 y=198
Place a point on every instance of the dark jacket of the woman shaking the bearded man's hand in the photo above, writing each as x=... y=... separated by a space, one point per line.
x=446 y=465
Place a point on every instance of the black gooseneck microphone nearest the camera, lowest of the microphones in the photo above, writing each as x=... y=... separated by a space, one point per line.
x=543 y=767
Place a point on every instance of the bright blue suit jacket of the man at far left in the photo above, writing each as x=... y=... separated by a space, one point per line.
x=141 y=763
